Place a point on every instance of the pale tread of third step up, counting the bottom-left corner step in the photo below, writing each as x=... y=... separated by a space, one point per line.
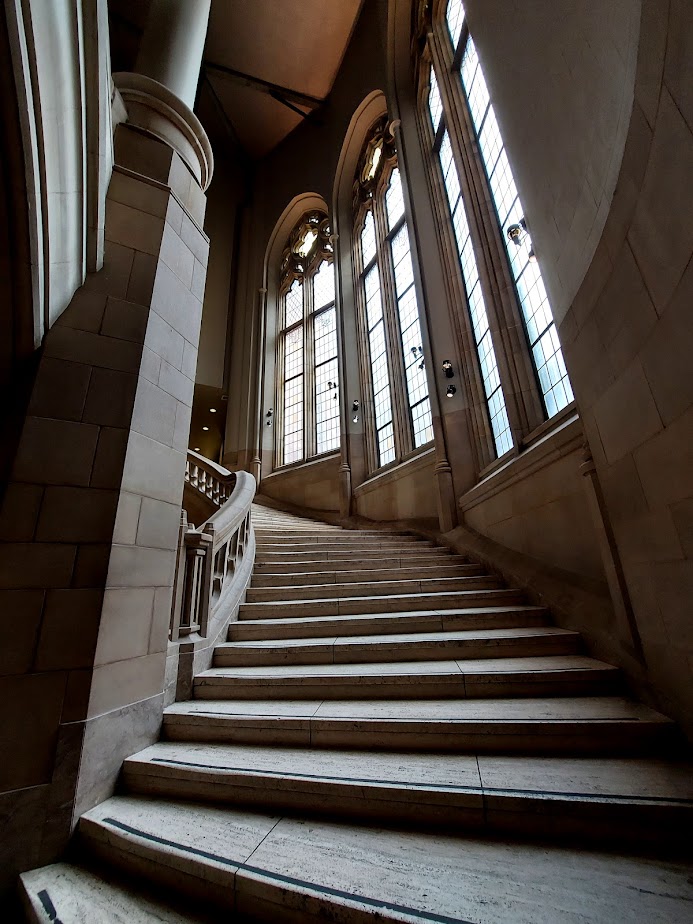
x=577 y=777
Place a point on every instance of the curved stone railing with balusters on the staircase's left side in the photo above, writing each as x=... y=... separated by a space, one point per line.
x=213 y=567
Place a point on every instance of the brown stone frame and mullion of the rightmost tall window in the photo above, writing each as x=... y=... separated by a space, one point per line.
x=433 y=50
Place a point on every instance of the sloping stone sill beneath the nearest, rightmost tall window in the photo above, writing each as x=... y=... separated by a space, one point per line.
x=546 y=444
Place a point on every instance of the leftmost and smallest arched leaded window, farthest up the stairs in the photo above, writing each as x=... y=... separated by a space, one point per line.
x=307 y=380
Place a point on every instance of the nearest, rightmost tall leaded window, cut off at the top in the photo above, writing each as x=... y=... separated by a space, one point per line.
x=468 y=150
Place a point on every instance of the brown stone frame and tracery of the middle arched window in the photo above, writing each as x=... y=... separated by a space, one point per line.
x=370 y=197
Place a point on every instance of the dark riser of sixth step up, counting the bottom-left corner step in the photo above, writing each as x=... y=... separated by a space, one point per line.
x=443 y=651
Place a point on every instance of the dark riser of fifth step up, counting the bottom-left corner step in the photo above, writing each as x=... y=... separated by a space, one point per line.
x=578 y=683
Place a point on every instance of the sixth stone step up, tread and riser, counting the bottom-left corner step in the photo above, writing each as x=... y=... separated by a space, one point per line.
x=417 y=646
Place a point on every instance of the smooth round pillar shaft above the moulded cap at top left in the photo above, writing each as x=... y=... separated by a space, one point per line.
x=172 y=45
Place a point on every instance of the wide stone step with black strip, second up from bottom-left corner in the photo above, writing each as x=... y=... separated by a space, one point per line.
x=293 y=869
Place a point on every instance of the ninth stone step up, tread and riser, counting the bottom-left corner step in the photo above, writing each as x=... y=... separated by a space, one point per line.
x=383 y=588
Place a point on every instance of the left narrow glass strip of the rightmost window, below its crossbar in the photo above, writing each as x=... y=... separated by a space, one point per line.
x=493 y=391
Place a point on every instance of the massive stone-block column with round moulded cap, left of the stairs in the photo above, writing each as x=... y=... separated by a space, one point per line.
x=90 y=519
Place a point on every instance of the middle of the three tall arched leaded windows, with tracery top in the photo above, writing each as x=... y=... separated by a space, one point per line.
x=398 y=413
